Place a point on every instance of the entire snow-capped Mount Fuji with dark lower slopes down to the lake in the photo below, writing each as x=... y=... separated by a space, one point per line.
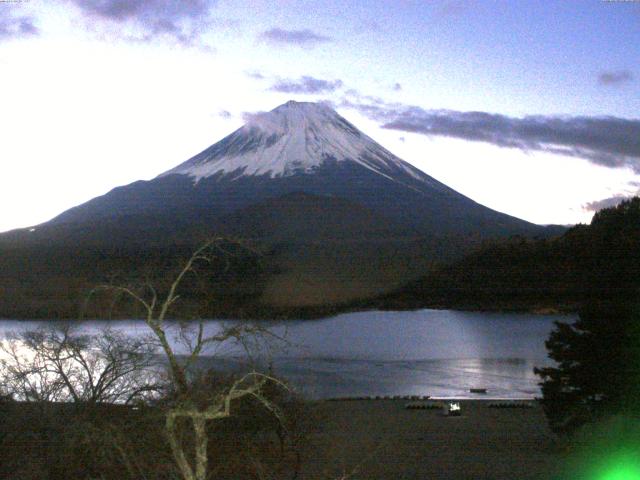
x=340 y=218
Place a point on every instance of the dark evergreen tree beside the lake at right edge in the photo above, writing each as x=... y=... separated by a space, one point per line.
x=598 y=365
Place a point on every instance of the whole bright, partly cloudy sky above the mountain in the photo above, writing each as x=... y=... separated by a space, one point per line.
x=530 y=108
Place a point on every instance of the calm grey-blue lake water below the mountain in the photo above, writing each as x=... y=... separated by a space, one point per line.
x=441 y=353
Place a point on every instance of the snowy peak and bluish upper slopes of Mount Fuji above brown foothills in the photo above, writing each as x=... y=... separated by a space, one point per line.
x=295 y=148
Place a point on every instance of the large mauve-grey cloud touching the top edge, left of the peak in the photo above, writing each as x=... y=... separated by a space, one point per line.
x=183 y=21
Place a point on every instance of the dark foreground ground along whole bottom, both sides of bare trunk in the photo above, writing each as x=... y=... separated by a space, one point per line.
x=345 y=439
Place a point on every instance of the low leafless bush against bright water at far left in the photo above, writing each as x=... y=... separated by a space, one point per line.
x=56 y=363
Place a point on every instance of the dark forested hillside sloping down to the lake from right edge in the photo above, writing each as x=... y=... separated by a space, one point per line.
x=587 y=261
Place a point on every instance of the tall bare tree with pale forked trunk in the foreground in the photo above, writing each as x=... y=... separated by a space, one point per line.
x=193 y=403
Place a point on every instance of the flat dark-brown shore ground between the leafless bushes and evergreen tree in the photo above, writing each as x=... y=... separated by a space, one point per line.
x=381 y=439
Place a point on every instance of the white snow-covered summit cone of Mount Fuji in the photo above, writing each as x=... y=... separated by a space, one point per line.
x=296 y=137
